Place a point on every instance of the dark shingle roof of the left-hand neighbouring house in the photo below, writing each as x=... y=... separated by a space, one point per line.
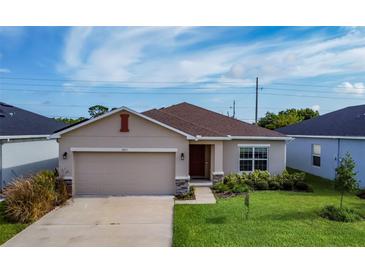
x=17 y=121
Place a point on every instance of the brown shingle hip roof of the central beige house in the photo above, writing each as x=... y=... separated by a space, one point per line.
x=199 y=121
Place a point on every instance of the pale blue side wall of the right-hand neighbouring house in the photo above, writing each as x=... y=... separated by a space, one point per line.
x=299 y=156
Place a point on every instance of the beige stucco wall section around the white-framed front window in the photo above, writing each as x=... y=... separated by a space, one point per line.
x=277 y=155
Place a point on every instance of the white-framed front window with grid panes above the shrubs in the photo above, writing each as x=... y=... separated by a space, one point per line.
x=253 y=158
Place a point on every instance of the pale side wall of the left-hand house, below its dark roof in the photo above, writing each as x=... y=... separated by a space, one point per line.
x=21 y=158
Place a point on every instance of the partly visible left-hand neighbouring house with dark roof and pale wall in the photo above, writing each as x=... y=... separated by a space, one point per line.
x=24 y=147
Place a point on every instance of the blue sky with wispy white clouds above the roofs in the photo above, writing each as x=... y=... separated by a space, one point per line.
x=61 y=71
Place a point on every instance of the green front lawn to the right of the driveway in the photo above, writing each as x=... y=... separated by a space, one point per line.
x=277 y=218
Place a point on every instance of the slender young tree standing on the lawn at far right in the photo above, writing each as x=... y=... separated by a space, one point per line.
x=345 y=177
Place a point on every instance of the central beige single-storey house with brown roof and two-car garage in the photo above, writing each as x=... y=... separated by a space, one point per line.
x=124 y=152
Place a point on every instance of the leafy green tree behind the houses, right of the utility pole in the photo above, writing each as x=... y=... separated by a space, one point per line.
x=286 y=117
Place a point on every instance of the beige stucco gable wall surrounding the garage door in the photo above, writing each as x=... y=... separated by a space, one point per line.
x=105 y=133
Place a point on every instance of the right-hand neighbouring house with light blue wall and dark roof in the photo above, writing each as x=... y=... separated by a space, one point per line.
x=321 y=142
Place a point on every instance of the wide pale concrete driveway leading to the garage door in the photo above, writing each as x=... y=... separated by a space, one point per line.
x=103 y=221
